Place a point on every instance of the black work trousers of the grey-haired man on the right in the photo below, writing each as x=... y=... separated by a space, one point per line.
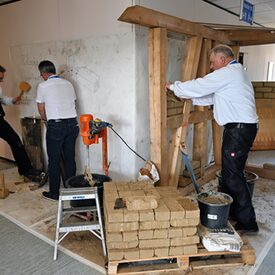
x=237 y=140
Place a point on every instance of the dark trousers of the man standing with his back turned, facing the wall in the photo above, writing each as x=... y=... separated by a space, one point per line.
x=60 y=138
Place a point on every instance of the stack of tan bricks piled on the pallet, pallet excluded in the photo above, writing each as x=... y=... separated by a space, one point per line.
x=156 y=222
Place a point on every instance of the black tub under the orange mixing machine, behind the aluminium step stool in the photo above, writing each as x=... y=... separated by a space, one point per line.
x=80 y=181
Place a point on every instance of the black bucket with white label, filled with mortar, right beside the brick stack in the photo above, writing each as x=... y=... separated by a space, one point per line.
x=214 y=209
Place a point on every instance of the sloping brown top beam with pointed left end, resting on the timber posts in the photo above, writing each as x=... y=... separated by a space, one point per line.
x=152 y=18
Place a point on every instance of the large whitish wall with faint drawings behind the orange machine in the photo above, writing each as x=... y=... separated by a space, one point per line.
x=105 y=59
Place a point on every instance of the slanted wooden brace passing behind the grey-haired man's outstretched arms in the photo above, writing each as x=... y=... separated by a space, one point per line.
x=189 y=71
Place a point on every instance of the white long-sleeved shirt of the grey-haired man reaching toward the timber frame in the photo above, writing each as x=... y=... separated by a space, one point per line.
x=228 y=89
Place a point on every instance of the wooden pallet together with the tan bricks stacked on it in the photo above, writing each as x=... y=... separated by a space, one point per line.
x=157 y=230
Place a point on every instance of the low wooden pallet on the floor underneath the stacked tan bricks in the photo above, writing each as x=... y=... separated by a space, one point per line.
x=204 y=259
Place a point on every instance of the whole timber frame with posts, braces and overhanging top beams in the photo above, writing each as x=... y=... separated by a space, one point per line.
x=195 y=64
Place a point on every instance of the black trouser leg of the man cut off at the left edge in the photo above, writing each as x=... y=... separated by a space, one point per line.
x=19 y=153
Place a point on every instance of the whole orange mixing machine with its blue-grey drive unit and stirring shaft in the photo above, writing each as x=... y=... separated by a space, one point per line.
x=91 y=131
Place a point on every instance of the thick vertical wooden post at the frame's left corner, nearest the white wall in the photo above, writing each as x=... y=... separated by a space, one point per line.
x=158 y=100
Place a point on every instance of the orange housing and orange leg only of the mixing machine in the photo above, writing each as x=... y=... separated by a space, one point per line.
x=89 y=139
